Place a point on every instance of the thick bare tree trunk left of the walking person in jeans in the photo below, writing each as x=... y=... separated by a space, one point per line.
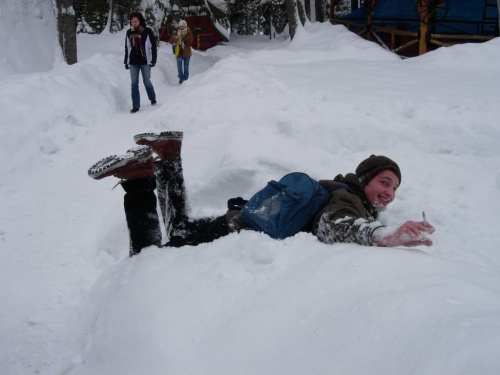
x=66 y=24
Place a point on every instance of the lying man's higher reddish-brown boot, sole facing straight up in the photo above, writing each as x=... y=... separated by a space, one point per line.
x=167 y=145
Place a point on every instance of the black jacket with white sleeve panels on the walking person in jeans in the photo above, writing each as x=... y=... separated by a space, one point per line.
x=140 y=47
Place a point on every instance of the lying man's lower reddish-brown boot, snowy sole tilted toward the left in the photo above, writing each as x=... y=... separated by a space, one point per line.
x=136 y=163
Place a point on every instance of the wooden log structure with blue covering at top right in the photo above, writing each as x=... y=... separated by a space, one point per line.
x=413 y=27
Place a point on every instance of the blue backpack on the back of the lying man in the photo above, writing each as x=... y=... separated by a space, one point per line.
x=284 y=207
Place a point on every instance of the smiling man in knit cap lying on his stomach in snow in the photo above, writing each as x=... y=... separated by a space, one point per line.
x=348 y=216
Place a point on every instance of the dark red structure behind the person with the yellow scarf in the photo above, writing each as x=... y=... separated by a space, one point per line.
x=206 y=34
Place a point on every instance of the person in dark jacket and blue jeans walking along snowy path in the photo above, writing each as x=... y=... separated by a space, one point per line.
x=140 y=55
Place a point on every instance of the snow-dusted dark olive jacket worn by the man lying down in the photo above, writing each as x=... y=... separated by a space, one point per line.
x=346 y=217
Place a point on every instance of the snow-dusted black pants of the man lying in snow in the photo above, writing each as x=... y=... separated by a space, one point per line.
x=142 y=217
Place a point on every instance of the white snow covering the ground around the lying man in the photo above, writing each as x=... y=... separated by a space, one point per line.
x=253 y=110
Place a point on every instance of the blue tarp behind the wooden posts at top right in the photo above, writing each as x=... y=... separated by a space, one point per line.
x=463 y=17
